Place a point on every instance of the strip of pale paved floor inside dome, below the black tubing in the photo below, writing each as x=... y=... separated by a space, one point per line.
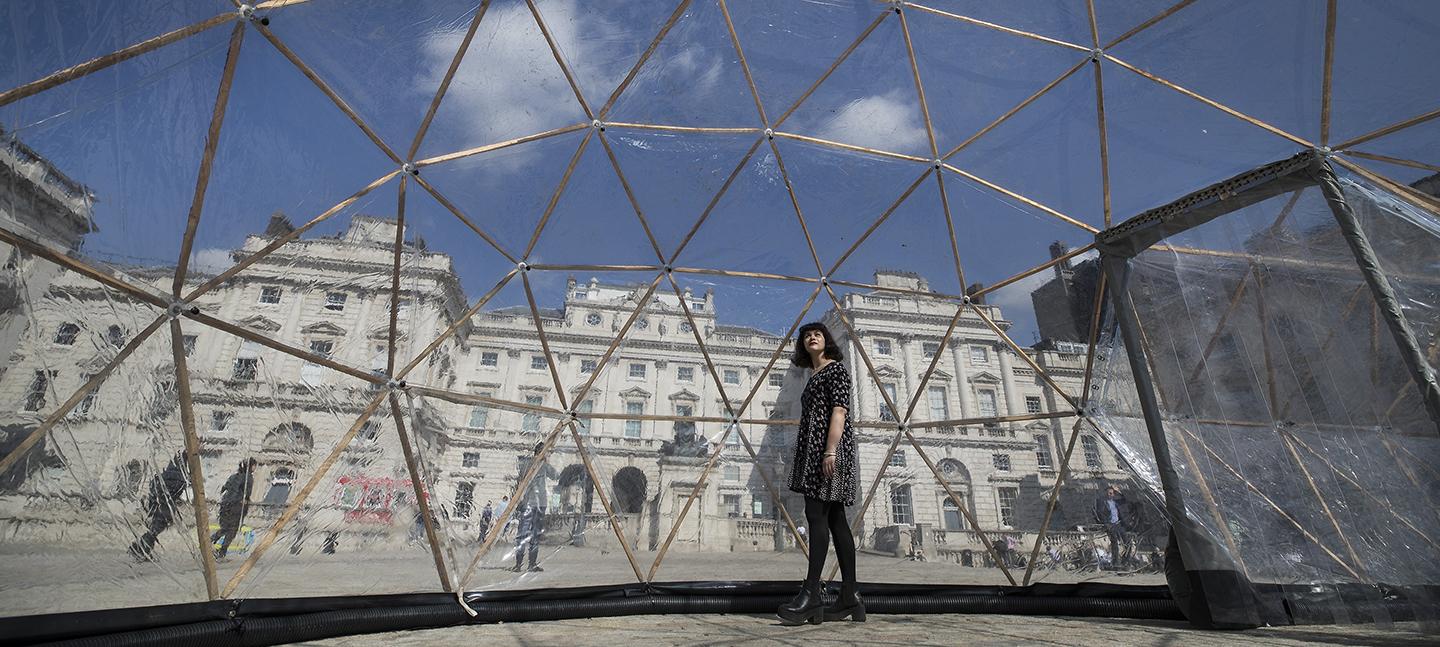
x=886 y=630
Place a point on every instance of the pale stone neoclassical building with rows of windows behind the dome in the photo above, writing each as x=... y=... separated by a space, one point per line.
x=332 y=298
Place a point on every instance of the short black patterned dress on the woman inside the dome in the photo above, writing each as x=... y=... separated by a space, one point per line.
x=829 y=388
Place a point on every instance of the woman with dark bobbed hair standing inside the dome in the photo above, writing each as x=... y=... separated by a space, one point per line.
x=824 y=472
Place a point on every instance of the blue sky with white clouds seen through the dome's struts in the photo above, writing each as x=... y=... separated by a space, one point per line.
x=135 y=133
